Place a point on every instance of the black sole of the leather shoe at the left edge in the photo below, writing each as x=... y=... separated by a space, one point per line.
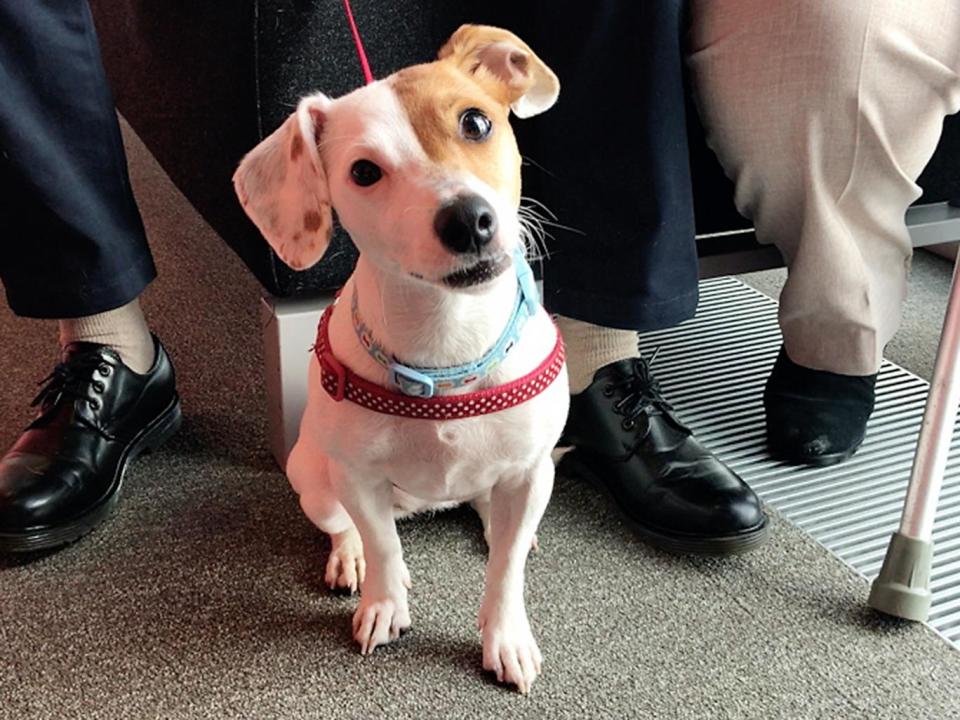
x=161 y=429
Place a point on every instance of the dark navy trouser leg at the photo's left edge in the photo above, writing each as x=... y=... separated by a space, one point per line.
x=71 y=238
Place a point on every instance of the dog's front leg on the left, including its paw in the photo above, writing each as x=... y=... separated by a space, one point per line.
x=383 y=612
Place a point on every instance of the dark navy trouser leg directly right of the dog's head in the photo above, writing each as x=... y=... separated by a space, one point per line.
x=611 y=161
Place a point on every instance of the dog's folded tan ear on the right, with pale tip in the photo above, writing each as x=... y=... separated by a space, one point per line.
x=506 y=65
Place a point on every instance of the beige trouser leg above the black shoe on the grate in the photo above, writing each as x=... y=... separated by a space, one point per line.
x=824 y=112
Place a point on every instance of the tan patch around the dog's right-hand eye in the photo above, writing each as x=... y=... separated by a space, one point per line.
x=434 y=96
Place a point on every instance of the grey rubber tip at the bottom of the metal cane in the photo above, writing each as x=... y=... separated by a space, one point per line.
x=902 y=588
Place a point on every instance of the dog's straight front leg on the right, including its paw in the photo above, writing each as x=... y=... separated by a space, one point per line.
x=516 y=506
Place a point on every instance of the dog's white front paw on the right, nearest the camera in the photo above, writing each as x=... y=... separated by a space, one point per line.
x=509 y=649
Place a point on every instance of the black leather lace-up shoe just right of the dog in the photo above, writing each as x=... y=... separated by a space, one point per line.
x=672 y=490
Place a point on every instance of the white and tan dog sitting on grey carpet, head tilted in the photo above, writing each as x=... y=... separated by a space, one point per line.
x=423 y=170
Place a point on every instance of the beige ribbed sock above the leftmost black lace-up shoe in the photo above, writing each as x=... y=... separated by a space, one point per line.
x=123 y=329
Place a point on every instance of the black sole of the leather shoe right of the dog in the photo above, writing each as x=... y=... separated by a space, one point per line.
x=573 y=465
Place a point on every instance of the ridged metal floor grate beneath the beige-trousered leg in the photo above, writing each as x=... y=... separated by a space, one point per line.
x=713 y=369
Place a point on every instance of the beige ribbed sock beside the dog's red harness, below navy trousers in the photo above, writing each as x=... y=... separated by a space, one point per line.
x=590 y=347
